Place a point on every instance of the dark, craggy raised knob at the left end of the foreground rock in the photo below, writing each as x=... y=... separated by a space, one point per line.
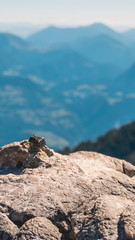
x=25 y=154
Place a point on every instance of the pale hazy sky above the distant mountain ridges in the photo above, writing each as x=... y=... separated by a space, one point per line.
x=68 y=12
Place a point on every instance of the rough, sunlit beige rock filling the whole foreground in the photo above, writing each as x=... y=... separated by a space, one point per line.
x=45 y=195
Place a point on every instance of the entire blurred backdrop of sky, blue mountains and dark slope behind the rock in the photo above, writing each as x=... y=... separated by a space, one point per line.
x=67 y=73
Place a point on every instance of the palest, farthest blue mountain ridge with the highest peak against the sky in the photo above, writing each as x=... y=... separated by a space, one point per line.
x=53 y=36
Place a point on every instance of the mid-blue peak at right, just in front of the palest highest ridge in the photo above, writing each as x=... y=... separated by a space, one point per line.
x=105 y=49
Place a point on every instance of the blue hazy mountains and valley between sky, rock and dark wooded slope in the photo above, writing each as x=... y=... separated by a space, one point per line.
x=66 y=84
